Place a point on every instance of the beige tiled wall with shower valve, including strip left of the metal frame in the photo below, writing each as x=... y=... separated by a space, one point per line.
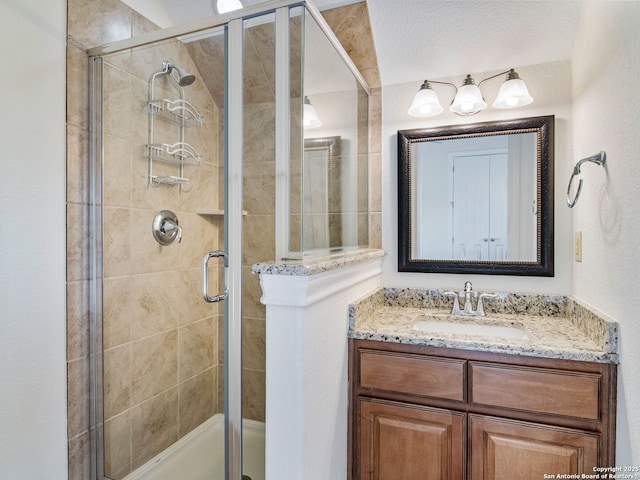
x=160 y=339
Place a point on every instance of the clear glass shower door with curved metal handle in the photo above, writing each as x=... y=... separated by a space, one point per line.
x=158 y=196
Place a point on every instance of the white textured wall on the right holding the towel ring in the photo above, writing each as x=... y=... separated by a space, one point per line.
x=606 y=112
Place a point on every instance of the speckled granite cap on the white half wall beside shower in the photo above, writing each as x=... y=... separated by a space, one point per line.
x=311 y=266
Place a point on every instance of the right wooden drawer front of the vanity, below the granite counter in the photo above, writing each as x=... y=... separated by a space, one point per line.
x=557 y=392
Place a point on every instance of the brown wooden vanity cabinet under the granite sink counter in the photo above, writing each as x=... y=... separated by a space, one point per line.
x=419 y=412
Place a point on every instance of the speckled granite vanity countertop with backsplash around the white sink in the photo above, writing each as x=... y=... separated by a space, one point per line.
x=557 y=326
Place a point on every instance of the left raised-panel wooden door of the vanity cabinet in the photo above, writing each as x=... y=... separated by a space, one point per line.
x=410 y=442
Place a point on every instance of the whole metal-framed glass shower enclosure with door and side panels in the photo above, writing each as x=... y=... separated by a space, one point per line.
x=203 y=164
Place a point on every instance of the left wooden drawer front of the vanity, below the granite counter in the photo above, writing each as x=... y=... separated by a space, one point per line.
x=413 y=374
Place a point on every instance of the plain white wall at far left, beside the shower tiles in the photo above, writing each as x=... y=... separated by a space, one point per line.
x=32 y=250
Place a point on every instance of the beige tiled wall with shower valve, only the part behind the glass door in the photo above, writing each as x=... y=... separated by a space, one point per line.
x=160 y=337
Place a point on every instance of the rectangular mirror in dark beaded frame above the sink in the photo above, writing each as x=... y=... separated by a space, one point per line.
x=477 y=198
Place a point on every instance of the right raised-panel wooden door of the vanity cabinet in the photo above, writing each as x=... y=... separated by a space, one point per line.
x=504 y=449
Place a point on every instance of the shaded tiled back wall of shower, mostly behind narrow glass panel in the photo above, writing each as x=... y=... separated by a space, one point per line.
x=258 y=193
